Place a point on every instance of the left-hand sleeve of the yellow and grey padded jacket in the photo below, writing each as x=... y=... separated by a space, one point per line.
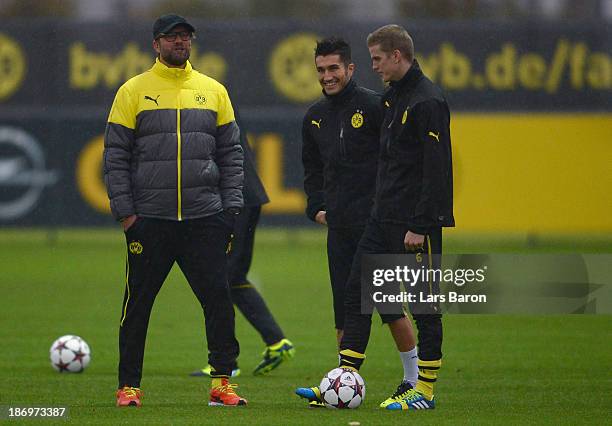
x=118 y=144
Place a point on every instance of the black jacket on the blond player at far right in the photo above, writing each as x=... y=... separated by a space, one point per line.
x=415 y=176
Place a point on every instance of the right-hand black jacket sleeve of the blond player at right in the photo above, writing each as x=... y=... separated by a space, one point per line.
x=433 y=130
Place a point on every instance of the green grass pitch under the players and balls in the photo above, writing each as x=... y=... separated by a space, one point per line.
x=496 y=369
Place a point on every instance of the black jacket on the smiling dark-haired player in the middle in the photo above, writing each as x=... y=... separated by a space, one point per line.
x=340 y=136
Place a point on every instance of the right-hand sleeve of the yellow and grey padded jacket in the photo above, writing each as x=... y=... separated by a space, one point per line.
x=229 y=155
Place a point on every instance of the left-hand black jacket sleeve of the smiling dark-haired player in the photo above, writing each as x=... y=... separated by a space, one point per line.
x=313 y=172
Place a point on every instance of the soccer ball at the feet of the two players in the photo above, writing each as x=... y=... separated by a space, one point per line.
x=342 y=388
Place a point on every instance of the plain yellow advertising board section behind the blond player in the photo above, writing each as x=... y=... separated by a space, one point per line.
x=534 y=173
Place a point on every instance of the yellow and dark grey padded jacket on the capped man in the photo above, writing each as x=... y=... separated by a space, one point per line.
x=172 y=147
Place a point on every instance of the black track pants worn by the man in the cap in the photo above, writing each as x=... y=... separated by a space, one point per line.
x=199 y=247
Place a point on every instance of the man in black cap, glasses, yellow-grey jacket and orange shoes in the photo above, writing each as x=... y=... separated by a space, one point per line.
x=173 y=167
